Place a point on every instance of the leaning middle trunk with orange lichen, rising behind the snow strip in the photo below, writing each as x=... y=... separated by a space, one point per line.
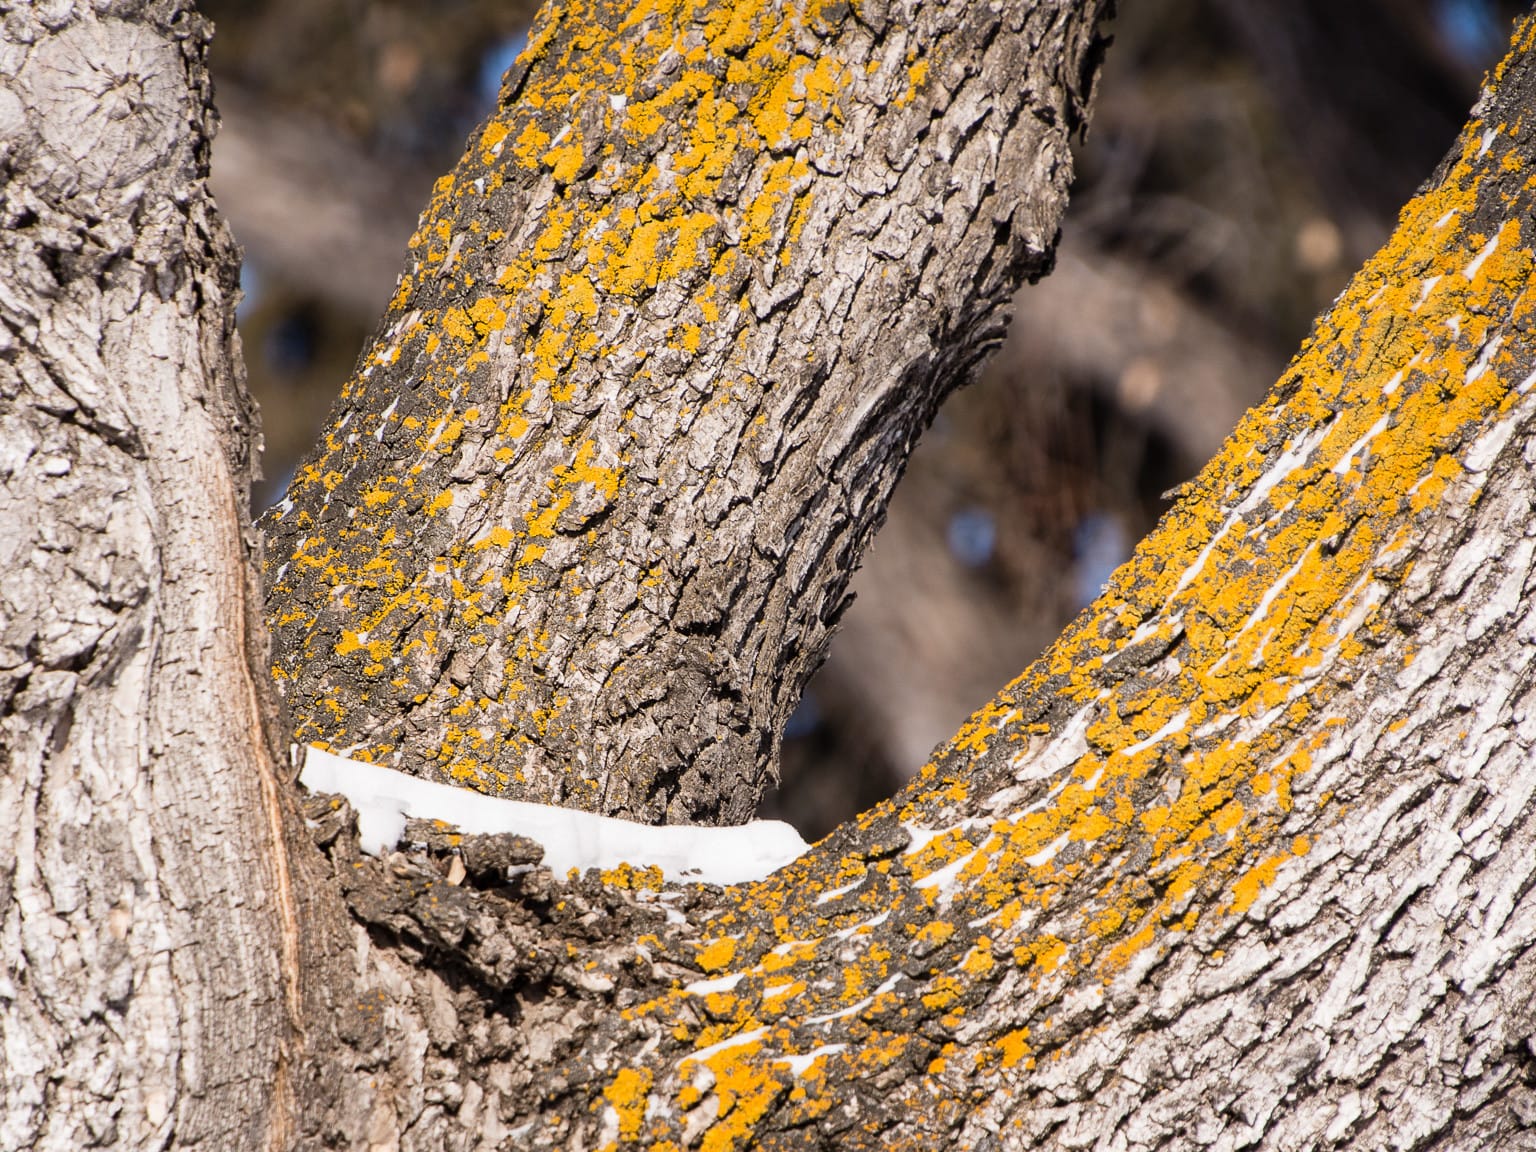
x=584 y=520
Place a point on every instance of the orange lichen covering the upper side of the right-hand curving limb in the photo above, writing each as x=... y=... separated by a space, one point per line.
x=1263 y=591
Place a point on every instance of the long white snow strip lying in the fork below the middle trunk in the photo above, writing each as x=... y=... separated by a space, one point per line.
x=385 y=798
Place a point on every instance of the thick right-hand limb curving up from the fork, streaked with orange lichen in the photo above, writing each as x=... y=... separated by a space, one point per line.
x=1246 y=861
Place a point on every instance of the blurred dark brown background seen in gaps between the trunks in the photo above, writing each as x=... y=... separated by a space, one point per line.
x=1245 y=157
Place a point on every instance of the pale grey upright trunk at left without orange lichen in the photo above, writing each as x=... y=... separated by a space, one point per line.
x=145 y=918
